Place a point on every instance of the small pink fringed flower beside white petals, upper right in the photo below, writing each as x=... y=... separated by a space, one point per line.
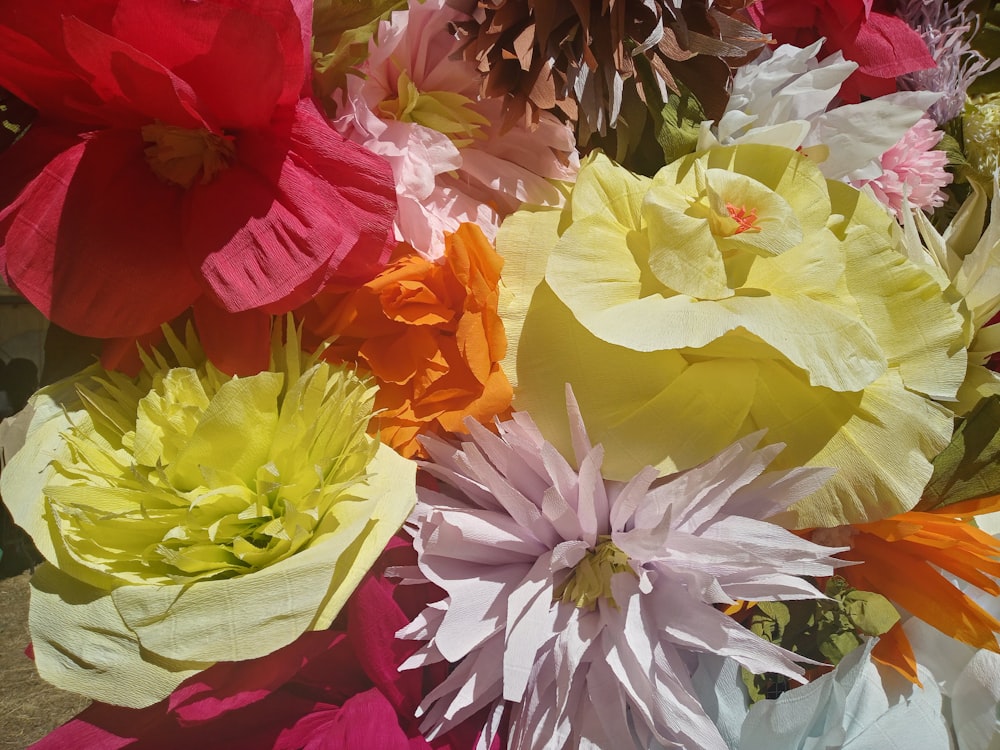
x=912 y=168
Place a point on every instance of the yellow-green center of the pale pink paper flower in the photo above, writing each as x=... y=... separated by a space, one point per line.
x=444 y=111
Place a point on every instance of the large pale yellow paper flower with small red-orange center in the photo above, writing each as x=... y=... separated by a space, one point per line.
x=736 y=290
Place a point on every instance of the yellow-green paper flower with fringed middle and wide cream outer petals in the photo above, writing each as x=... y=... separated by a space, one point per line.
x=187 y=517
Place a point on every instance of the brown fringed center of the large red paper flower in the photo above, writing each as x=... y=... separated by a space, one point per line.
x=182 y=155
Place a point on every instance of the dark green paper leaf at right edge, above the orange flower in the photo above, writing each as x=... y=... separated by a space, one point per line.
x=969 y=467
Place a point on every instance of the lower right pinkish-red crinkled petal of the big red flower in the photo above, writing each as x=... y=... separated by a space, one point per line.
x=281 y=217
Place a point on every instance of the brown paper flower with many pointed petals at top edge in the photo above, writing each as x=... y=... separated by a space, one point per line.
x=579 y=56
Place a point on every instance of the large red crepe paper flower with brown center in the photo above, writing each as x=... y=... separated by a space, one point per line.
x=175 y=160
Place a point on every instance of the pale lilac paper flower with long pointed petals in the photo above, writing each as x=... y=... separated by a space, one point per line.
x=578 y=602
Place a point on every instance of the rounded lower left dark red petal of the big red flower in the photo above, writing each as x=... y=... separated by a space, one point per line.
x=93 y=240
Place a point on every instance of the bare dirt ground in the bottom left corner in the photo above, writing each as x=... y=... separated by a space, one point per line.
x=30 y=708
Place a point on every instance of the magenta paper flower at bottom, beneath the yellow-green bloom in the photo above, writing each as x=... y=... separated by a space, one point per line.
x=337 y=689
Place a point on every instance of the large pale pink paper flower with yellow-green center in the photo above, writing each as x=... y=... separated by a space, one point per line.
x=416 y=105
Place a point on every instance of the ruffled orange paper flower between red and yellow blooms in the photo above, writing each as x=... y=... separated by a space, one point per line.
x=429 y=333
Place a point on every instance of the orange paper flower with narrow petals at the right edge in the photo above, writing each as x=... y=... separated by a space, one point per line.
x=900 y=558
